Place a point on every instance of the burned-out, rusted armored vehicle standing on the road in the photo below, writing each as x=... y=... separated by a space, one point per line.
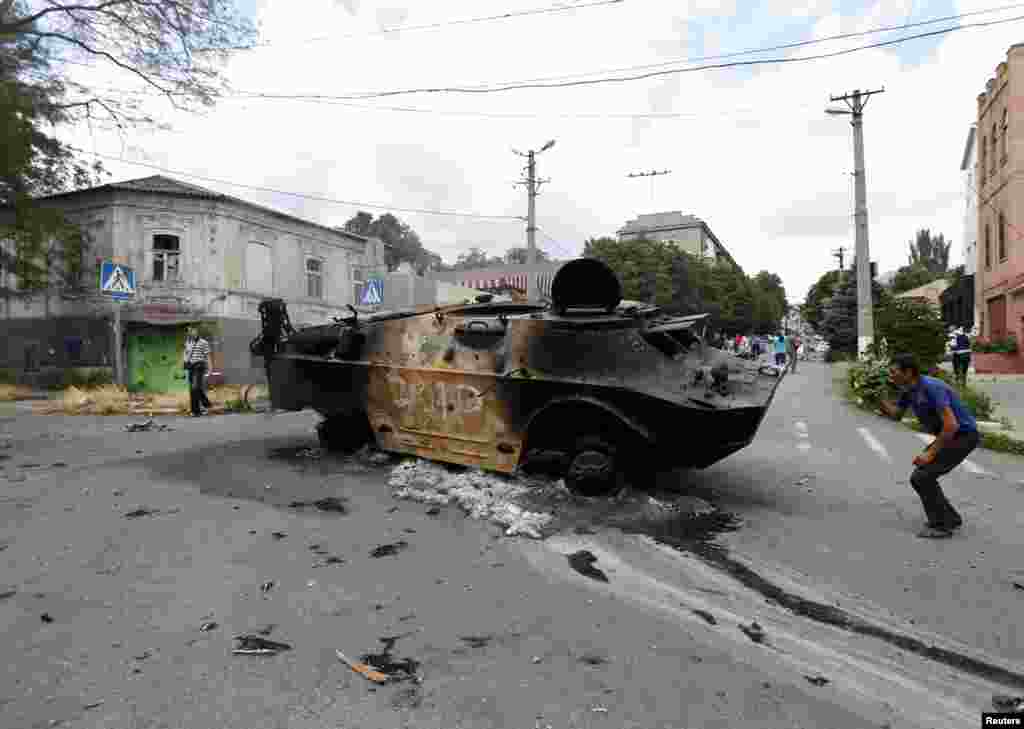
x=590 y=387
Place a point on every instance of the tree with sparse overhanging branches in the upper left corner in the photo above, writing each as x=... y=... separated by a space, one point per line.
x=175 y=48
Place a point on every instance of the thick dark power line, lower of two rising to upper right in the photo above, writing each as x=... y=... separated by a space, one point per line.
x=515 y=87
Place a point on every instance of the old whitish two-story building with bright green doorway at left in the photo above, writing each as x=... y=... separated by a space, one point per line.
x=199 y=256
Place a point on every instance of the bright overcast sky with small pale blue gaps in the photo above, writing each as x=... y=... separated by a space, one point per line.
x=750 y=150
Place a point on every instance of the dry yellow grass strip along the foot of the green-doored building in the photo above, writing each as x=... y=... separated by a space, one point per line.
x=116 y=400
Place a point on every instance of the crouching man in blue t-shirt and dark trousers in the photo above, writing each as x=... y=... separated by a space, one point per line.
x=943 y=415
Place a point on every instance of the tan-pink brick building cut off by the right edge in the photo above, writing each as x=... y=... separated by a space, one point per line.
x=1000 y=277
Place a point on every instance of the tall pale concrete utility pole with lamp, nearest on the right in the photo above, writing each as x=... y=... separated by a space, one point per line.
x=866 y=323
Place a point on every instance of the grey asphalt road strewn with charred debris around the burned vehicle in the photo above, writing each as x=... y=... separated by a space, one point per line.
x=504 y=632
